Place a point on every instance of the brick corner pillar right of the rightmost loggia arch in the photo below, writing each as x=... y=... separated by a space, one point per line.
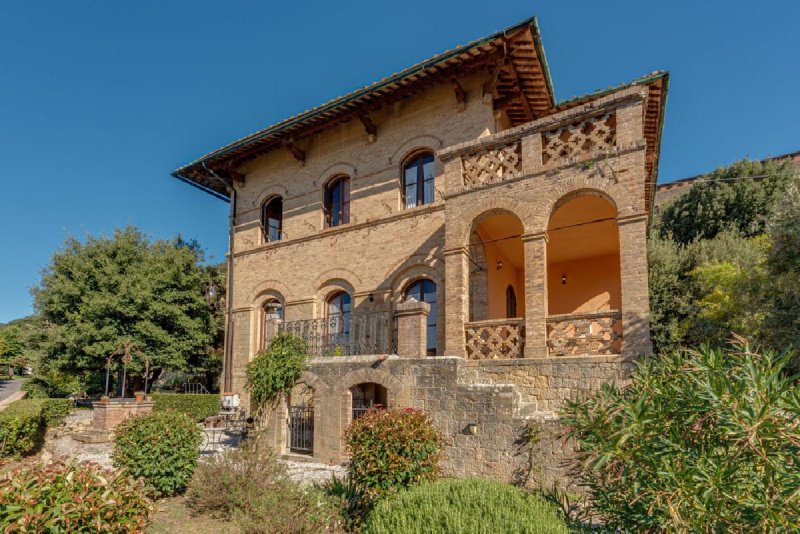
x=634 y=286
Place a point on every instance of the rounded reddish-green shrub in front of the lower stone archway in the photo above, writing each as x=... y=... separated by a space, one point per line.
x=392 y=449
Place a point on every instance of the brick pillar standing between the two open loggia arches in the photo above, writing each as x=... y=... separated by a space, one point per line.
x=535 y=248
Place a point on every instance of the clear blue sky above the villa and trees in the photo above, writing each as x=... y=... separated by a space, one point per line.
x=100 y=100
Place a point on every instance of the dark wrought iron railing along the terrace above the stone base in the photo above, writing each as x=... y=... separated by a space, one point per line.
x=351 y=335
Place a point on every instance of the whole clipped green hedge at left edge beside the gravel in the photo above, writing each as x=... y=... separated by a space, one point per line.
x=23 y=422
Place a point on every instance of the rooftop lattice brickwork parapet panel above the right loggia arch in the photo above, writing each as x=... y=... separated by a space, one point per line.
x=596 y=135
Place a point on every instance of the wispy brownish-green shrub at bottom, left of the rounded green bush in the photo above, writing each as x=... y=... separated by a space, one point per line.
x=249 y=487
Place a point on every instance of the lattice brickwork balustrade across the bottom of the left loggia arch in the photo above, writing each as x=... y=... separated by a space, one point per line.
x=496 y=339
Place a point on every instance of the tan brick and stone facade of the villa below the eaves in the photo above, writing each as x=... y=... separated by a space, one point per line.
x=487 y=172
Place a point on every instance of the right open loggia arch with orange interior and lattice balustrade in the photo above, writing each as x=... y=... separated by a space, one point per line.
x=583 y=277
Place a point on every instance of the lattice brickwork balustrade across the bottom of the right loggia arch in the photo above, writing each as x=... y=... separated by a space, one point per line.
x=580 y=334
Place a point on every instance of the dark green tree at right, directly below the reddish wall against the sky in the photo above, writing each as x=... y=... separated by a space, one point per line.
x=737 y=197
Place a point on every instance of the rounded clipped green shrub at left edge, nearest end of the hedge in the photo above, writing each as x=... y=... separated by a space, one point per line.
x=21 y=427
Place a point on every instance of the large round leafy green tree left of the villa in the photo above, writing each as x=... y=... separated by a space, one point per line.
x=98 y=294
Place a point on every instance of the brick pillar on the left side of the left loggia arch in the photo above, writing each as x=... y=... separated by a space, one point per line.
x=456 y=300
